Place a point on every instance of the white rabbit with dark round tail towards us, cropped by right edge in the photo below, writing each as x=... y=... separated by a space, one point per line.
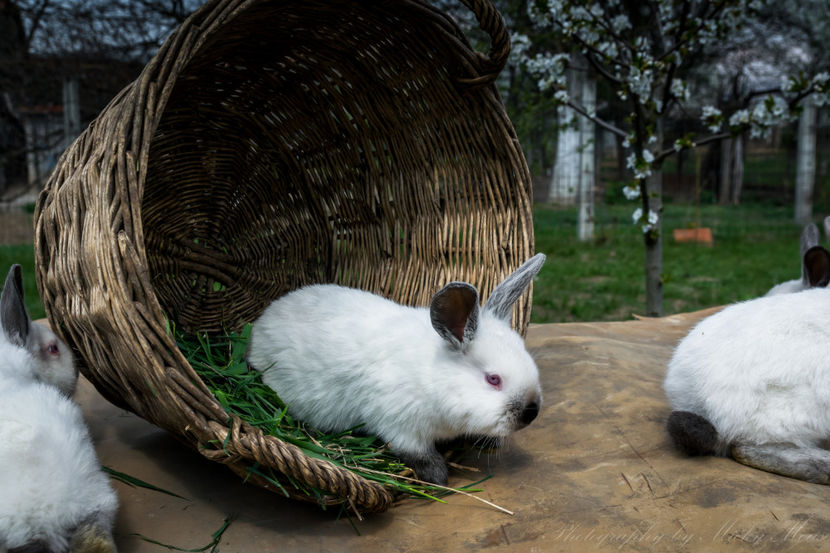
x=753 y=380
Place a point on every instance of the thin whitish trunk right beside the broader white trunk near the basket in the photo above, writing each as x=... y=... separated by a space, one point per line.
x=587 y=173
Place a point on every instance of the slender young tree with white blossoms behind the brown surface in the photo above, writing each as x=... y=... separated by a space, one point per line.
x=644 y=50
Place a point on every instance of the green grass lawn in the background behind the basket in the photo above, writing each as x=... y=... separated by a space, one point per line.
x=603 y=280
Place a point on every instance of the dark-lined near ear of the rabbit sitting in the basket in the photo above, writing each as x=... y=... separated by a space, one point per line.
x=454 y=313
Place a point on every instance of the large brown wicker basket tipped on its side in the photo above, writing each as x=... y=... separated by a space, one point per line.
x=269 y=145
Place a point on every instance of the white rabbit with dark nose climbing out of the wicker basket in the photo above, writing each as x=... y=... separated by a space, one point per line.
x=341 y=357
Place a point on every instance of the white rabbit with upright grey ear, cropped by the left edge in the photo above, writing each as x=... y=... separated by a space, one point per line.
x=53 y=495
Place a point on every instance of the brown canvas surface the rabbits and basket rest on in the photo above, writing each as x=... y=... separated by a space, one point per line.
x=595 y=472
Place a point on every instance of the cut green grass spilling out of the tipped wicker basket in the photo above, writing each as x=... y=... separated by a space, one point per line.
x=219 y=361
